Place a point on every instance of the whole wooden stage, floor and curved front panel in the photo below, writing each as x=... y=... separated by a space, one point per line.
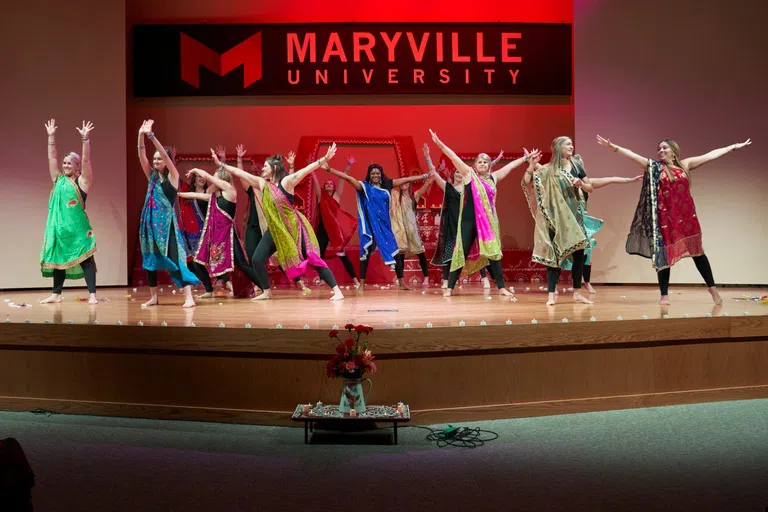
x=475 y=355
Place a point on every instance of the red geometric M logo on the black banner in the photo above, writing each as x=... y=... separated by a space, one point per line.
x=195 y=54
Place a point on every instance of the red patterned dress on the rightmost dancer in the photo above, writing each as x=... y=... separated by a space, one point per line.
x=679 y=225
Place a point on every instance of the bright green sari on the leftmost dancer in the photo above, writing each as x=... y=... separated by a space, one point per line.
x=69 y=238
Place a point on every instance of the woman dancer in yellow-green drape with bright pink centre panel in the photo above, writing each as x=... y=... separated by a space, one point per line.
x=478 y=221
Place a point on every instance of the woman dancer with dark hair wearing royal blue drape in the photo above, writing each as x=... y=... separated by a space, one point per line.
x=374 y=225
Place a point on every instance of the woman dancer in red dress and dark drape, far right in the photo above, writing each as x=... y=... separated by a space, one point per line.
x=665 y=228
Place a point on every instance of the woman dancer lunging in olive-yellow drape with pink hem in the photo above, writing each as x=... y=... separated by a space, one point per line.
x=288 y=231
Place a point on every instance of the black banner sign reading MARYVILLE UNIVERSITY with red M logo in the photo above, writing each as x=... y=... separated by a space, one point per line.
x=345 y=58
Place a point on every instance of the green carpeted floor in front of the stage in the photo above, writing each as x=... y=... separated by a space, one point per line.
x=695 y=457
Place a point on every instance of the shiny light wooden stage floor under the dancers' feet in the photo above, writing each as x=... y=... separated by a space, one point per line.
x=381 y=308
